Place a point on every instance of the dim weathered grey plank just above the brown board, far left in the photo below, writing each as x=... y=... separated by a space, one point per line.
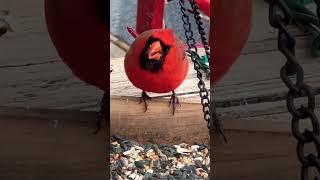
x=49 y=85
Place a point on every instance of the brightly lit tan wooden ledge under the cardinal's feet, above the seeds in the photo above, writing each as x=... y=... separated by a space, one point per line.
x=158 y=124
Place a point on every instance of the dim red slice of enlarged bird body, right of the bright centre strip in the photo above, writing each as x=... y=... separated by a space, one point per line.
x=229 y=30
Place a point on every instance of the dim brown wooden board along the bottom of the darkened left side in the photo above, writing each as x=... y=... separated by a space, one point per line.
x=51 y=148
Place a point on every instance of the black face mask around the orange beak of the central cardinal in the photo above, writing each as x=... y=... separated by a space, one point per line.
x=153 y=65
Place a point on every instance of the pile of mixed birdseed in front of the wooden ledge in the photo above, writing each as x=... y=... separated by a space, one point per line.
x=132 y=161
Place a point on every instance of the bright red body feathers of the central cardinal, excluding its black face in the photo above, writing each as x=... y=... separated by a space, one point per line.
x=173 y=72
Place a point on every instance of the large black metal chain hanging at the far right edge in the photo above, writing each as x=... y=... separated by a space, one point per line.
x=279 y=18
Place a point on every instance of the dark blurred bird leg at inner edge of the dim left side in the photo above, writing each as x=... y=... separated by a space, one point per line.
x=103 y=114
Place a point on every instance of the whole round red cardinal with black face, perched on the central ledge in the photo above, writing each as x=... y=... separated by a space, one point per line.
x=157 y=62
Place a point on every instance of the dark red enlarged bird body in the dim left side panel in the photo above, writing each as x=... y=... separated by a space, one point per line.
x=80 y=38
